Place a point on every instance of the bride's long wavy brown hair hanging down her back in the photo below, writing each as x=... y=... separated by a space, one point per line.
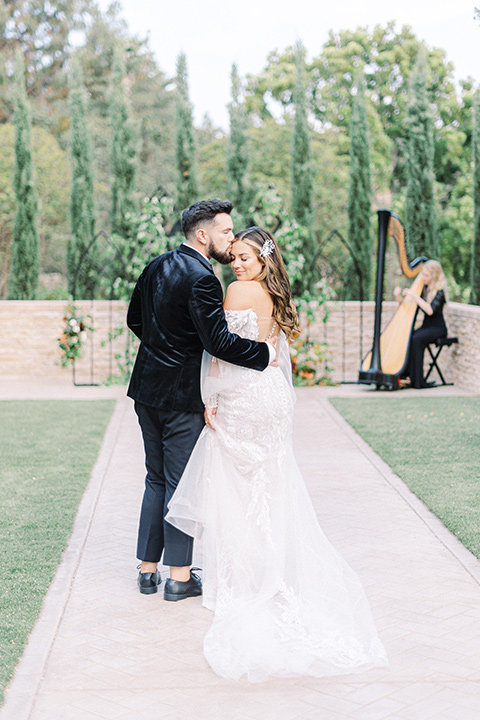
x=274 y=277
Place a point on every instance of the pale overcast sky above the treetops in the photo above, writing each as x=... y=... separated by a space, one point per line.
x=216 y=33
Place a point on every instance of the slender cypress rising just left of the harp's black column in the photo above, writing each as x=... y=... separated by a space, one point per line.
x=360 y=198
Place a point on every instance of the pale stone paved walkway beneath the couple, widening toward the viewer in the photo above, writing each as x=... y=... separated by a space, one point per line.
x=100 y=650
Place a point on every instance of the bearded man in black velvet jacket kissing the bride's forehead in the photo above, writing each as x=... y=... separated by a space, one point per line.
x=176 y=311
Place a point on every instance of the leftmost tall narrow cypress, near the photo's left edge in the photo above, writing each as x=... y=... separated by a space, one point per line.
x=25 y=260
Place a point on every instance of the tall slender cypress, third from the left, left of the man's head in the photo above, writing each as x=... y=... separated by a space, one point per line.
x=124 y=150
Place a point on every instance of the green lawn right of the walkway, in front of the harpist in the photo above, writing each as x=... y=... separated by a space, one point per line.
x=433 y=444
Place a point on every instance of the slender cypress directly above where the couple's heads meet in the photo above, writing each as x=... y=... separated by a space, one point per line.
x=237 y=151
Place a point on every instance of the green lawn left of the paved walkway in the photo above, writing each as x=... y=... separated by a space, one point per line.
x=48 y=449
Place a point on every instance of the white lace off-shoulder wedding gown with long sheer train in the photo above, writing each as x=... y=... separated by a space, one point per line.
x=285 y=602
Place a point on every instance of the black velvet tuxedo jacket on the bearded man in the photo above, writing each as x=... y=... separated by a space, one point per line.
x=176 y=311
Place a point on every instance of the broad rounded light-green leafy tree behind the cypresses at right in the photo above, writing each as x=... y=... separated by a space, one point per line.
x=387 y=56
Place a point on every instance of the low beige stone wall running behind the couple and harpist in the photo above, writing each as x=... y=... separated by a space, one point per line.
x=29 y=332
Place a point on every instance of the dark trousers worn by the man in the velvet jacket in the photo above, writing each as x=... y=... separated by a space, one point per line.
x=169 y=438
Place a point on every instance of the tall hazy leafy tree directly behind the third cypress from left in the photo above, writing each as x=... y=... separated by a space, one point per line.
x=152 y=102
